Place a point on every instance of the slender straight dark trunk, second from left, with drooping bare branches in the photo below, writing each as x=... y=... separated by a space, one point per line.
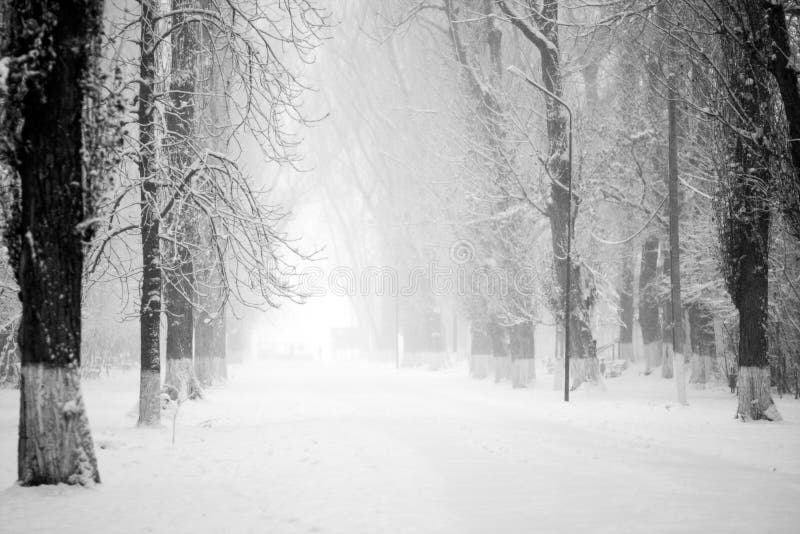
x=150 y=307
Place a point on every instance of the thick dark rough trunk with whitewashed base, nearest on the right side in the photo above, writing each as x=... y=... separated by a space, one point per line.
x=746 y=222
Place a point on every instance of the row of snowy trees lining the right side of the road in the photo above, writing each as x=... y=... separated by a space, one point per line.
x=684 y=114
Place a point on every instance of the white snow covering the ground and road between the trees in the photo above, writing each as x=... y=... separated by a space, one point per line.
x=361 y=448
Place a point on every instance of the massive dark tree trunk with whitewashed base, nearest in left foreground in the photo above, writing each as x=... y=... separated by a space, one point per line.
x=45 y=234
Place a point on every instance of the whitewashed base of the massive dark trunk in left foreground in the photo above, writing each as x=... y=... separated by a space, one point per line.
x=55 y=445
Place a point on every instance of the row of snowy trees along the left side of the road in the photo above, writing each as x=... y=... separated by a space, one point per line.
x=122 y=135
